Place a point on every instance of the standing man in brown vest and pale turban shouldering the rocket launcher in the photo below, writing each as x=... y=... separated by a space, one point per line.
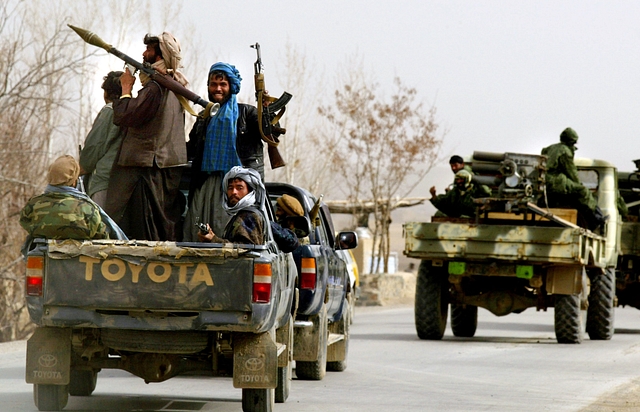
x=143 y=196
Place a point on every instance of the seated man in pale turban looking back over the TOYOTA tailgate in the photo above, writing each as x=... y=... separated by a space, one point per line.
x=244 y=201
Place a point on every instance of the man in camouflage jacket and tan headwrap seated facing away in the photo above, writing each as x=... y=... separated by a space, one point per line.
x=63 y=212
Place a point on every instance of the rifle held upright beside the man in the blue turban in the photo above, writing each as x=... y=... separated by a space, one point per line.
x=270 y=110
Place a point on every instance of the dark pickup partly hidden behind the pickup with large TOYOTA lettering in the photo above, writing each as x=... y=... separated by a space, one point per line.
x=321 y=327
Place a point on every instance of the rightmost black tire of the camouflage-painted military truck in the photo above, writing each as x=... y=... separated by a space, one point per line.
x=600 y=315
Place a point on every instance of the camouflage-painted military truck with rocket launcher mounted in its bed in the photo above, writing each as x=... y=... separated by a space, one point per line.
x=518 y=254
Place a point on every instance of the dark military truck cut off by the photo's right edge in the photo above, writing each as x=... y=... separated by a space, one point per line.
x=628 y=269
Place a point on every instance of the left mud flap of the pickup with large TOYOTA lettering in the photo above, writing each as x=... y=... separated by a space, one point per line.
x=49 y=356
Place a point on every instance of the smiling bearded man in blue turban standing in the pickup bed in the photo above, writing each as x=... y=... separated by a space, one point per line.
x=230 y=138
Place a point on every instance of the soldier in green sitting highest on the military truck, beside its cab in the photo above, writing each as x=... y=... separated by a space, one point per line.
x=563 y=186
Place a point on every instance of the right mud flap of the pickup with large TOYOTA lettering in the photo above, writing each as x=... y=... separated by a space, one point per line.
x=255 y=361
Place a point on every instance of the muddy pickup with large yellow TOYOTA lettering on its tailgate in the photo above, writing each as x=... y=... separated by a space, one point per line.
x=159 y=310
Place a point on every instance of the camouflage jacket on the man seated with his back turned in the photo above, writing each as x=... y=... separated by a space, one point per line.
x=61 y=216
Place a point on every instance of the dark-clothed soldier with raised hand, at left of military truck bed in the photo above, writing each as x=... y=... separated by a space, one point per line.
x=458 y=202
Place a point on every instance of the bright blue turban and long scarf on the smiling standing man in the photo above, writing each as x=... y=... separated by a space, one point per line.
x=220 y=142
